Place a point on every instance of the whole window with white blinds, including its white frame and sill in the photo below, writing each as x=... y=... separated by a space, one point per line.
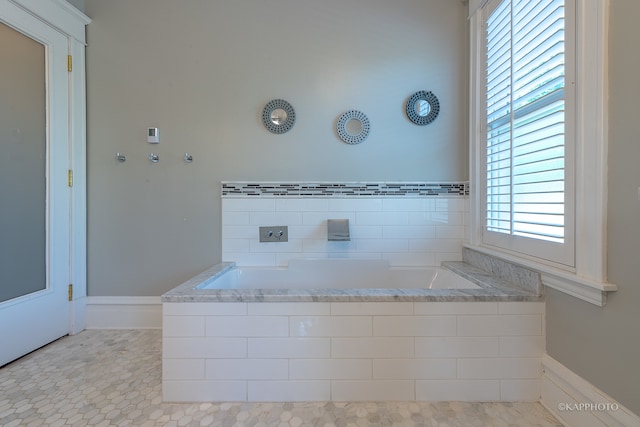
x=567 y=244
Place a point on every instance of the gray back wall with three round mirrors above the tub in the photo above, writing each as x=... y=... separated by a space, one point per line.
x=202 y=71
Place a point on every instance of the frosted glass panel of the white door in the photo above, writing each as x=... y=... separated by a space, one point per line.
x=22 y=165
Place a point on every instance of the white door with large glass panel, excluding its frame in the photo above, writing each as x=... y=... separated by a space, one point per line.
x=34 y=191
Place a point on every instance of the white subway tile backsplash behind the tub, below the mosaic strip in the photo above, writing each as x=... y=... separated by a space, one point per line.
x=406 y=231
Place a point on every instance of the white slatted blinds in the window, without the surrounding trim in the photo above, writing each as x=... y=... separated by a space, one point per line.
x=525 y=120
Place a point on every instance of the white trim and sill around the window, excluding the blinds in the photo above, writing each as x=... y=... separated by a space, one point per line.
x=588 y=281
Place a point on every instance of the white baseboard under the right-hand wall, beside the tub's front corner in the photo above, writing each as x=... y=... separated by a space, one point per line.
x=577 y=403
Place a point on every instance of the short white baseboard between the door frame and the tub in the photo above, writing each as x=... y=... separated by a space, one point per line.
x=124 y=313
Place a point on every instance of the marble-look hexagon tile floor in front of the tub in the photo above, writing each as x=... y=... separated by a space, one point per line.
x=112 y=378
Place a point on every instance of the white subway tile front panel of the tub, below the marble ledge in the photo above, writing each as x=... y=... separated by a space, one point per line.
x=427 y=351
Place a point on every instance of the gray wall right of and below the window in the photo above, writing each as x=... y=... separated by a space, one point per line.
x=603 y=344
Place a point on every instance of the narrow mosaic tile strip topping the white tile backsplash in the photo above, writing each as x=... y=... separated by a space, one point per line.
x=344 y=189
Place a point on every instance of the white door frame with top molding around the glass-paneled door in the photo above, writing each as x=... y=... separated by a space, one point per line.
x=69 y=21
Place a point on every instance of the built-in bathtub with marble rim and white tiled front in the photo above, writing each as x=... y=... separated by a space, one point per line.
x=349 y=330
